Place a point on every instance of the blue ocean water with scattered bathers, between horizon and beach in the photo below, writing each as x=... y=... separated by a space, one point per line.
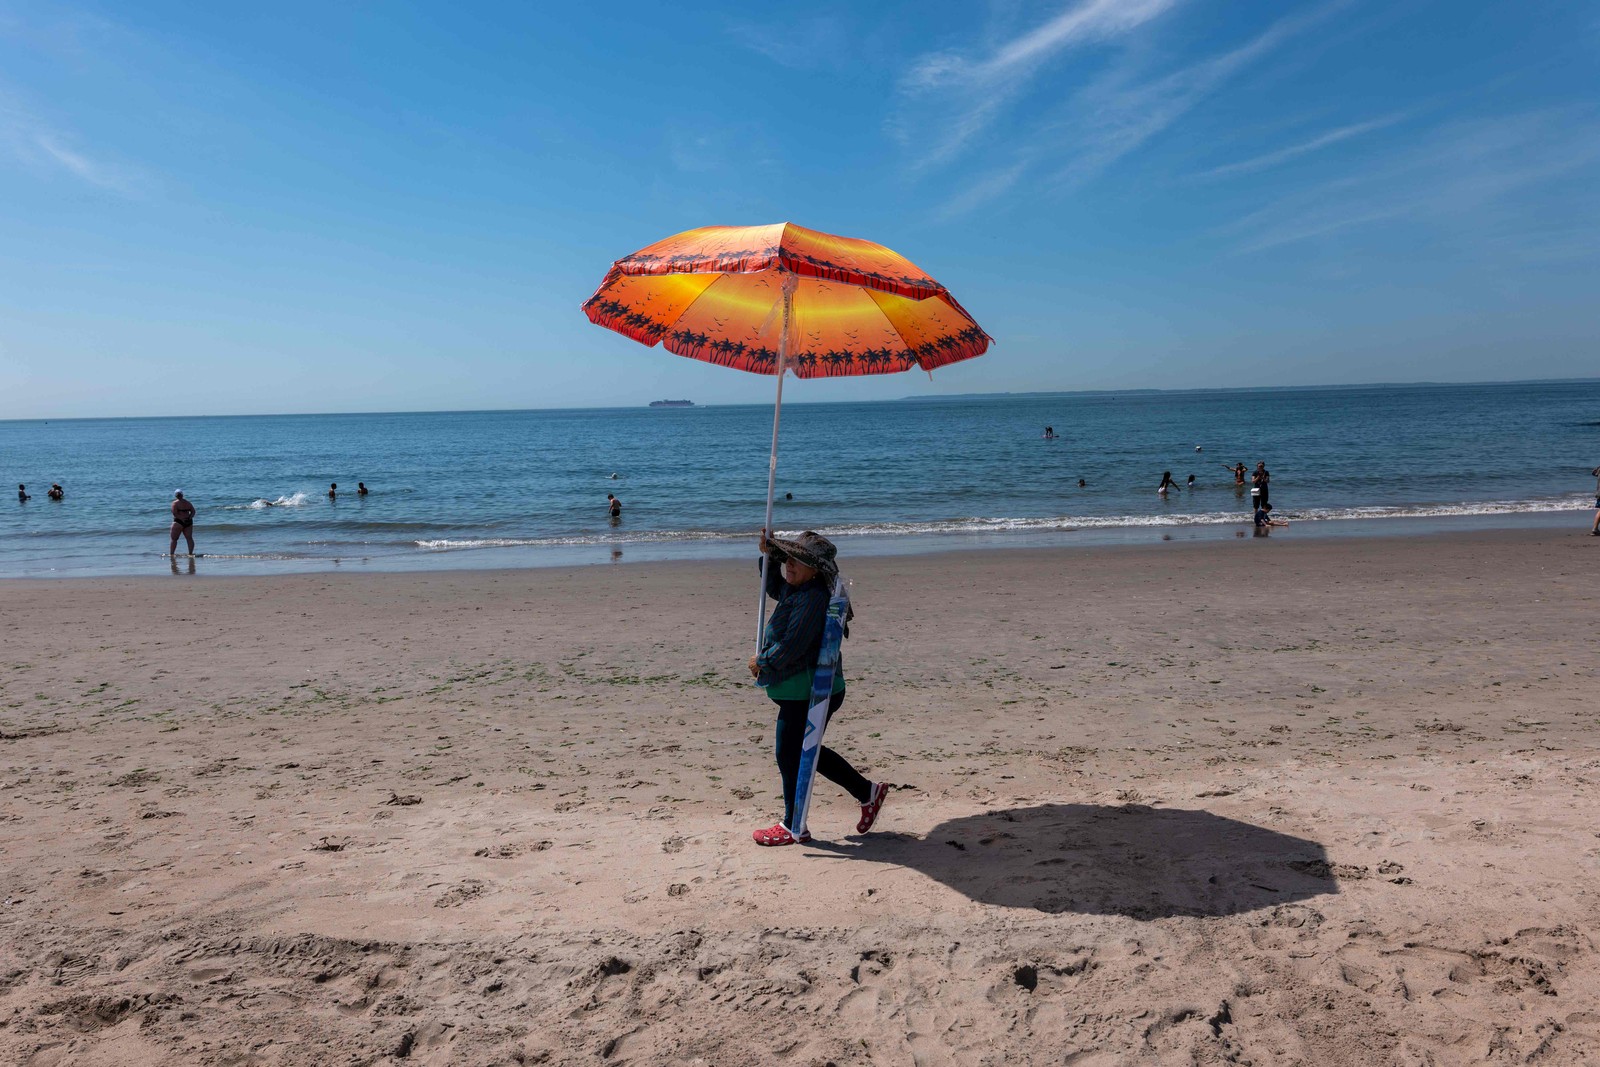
x=519 y=489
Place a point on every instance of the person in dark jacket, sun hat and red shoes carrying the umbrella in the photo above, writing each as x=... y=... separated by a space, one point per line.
x=801 y=575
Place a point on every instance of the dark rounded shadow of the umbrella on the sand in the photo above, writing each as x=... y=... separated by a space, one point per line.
x=1094 y=860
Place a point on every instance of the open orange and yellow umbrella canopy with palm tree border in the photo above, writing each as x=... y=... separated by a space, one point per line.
x=858 y=308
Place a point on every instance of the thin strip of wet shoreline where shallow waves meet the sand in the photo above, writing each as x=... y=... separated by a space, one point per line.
x=858 y=546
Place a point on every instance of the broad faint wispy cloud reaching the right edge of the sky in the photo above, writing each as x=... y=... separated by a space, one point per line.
x=1474 y=182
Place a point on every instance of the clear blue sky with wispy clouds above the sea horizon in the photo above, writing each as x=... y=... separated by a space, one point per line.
x=228 y=209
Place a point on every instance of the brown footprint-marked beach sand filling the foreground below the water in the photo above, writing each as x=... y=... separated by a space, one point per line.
x=1321 y=802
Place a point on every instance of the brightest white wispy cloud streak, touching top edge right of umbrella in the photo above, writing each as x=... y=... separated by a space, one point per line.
x=969 y=94
